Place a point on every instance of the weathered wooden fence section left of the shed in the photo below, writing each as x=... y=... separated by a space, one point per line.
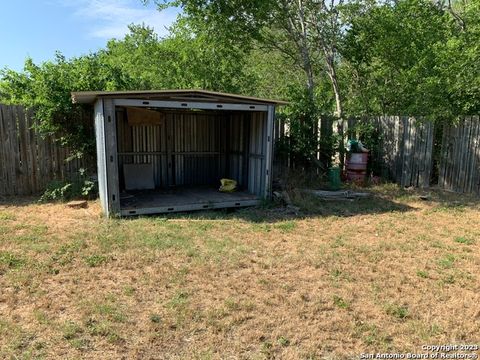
x=28 y=161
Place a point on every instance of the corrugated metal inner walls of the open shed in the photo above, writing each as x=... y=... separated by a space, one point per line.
x=198 y=148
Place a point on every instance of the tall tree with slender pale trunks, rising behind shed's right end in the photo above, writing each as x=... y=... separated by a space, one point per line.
x=305 y=32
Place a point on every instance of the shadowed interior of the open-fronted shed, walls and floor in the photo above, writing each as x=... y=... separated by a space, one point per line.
x=186 y=152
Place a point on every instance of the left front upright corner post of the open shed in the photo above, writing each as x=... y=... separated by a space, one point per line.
x=112 y=157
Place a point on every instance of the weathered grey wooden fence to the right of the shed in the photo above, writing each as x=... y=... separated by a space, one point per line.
x=409 y=154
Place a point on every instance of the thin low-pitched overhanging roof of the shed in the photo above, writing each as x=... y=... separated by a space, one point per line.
x=86 y=97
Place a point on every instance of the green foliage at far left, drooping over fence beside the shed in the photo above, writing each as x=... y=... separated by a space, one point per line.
x=46 y=89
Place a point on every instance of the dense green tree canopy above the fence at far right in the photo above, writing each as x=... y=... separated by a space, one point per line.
x=411 y=57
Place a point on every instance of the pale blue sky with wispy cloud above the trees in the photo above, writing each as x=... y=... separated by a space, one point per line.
x=38 y=28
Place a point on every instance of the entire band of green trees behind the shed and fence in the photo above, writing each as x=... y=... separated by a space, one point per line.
x=359 y=57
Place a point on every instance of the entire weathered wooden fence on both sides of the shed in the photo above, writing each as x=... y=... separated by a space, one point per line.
x=410 y=152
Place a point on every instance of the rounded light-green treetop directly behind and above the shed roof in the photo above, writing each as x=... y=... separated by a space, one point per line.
x=179 y=61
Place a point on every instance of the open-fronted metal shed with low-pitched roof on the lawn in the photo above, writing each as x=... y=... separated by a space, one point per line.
x=166 y=151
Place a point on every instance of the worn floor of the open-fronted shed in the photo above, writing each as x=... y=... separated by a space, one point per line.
x=182 y=199
